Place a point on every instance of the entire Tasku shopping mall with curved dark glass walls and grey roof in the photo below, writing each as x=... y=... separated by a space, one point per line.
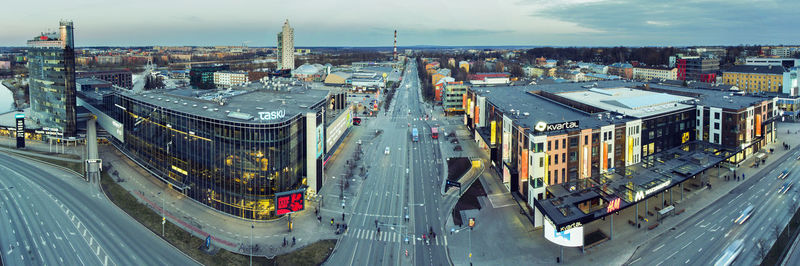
x=231 y=150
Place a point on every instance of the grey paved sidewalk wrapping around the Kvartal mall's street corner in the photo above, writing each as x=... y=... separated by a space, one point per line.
x=505 y=222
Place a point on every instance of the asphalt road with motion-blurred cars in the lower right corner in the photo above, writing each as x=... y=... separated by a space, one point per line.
x=701 y=239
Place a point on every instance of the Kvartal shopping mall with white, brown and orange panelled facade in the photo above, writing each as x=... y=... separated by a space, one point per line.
x=571 y=149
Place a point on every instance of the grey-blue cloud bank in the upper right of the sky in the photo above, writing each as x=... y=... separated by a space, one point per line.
x=683 y=21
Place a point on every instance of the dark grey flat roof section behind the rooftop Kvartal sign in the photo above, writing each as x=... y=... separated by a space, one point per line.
x=527 y=109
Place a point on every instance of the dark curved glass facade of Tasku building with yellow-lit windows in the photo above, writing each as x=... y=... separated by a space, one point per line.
x=231 y=166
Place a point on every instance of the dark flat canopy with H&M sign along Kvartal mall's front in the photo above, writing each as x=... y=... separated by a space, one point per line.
x=652 y=176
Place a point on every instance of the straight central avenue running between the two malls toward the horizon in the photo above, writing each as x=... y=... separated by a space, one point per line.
x=403 y=182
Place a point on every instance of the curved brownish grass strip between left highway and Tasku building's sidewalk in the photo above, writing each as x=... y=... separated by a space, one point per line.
x=314 y=254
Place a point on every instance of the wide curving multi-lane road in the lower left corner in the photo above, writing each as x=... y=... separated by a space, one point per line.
x=57 y=219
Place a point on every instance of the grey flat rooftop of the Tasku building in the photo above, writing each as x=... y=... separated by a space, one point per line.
x=248 y=105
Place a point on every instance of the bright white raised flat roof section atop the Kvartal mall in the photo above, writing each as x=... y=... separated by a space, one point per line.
x=628 y=101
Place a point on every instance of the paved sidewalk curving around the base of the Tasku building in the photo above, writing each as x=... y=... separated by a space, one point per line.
x=233 y=233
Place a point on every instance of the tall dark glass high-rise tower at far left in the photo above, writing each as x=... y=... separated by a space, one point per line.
x=51 y=74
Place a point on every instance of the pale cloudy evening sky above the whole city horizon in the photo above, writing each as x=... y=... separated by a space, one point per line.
x=418 y=22
